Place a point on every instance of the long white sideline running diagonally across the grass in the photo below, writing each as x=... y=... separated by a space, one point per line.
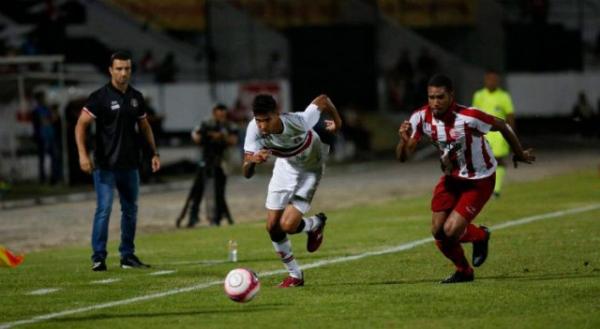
x=205 y=285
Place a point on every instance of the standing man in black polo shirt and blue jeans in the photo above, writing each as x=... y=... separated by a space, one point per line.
x=116 y=108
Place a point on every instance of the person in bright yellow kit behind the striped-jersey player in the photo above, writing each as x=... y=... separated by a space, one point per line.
x=495 y=101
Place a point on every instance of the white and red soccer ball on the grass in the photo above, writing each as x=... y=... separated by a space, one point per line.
x=241 y=285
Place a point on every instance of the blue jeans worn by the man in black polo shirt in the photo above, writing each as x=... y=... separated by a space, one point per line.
x=127 y=182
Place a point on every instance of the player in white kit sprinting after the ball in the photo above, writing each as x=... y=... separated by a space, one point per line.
x=298 y=169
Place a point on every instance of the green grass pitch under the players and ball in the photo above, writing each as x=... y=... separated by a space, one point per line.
x=542 y=274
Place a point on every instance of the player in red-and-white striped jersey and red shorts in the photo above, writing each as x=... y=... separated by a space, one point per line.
x=469 y=170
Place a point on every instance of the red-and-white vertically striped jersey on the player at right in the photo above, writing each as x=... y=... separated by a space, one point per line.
x=459 y=137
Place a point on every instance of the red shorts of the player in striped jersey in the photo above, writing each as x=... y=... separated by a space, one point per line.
x=466 y=196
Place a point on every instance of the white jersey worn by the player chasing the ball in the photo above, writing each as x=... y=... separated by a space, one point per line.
x=298 y=144
